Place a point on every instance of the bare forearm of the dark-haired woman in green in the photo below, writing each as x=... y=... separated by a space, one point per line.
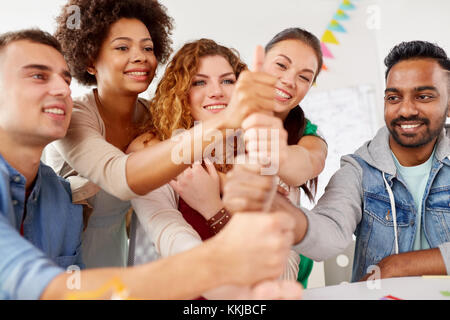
x=302 y=165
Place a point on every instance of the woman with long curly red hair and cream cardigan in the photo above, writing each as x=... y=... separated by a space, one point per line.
x=178 y=104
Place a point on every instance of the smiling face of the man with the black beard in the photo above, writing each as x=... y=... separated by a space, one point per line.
x=416 y=102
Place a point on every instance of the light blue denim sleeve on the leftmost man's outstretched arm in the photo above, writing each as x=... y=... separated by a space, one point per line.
x=25 y=271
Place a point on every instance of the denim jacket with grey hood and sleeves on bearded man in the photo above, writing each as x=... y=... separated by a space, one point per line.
x=357 y=201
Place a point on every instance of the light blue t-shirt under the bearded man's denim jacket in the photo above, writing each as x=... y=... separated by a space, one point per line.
x=416 y=179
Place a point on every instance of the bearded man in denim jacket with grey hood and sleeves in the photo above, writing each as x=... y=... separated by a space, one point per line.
x=394 y=192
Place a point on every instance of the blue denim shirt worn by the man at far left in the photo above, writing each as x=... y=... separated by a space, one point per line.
x=52 y=232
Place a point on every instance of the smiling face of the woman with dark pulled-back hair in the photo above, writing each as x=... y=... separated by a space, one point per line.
x=295 y=65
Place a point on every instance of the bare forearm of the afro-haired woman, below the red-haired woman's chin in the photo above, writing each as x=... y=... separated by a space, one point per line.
x=156 y=165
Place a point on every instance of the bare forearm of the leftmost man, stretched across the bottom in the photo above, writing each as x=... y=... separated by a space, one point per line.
x=176 y=277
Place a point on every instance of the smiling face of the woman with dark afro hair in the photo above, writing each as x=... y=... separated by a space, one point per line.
x=126 y=61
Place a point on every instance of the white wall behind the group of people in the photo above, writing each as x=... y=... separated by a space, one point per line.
x=243 y=24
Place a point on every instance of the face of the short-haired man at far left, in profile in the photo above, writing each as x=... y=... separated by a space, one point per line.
x=35 y=101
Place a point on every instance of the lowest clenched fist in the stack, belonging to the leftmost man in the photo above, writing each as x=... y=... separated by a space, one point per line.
x=254 y=247
